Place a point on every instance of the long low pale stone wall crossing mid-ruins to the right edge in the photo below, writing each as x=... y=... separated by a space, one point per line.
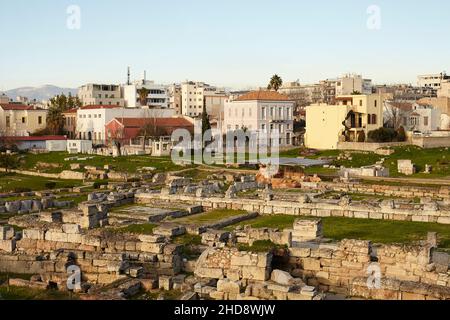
x=323 y=209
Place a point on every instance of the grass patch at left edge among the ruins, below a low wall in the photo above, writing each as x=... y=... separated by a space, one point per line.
x=12 y=182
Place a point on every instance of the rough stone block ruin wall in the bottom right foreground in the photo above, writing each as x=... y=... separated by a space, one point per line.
x=337 y=267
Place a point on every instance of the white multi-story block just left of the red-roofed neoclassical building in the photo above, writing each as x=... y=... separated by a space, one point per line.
x=193 y=96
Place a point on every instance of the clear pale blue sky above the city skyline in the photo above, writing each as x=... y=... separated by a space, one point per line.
x=235 y=43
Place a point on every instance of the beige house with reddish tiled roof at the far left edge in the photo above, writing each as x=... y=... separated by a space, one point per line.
x=21 y=120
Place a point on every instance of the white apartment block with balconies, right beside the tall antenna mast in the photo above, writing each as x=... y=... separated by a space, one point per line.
x=158 y=95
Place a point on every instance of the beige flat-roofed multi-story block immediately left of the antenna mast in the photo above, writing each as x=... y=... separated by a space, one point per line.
x=101 y=94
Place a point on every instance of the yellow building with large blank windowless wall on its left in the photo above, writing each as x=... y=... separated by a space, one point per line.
x=351 y=119
